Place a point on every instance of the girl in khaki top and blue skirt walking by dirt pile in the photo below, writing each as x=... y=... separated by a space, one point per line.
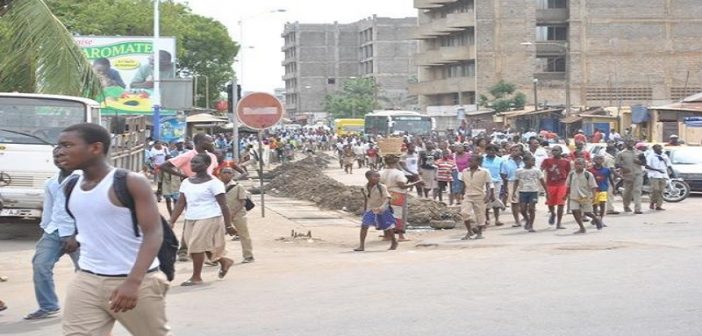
x=377 y=210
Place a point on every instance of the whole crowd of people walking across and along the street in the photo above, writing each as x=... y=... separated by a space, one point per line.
x=116 y=251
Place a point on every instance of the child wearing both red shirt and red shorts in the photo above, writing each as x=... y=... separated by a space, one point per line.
x=556 y=169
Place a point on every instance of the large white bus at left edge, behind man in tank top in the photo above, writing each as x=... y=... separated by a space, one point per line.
x=31 y=124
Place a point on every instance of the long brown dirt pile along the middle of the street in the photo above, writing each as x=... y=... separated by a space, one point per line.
x=305 y=179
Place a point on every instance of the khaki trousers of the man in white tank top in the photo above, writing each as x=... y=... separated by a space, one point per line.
x=88 y=307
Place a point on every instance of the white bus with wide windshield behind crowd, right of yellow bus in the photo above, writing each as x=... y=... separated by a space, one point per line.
x=398 y=122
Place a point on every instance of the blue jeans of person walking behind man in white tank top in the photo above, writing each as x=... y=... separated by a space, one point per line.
x=48 y=251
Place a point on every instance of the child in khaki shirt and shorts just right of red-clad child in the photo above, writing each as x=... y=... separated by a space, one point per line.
x=581 y=191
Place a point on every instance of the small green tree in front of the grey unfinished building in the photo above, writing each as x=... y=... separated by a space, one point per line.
x=356 y=98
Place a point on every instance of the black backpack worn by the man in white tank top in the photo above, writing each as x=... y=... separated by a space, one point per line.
x=169 y=247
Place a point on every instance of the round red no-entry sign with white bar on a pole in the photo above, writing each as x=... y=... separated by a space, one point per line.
x=259 y=110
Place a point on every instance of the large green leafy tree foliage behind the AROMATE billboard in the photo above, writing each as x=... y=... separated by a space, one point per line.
x=204 y=46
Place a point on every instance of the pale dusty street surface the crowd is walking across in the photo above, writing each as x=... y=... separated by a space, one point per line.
x=639 y=276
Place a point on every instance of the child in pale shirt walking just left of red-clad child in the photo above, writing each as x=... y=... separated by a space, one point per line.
x=527 y=185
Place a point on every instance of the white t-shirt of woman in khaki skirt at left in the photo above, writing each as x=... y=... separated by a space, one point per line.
x=201 y=201
